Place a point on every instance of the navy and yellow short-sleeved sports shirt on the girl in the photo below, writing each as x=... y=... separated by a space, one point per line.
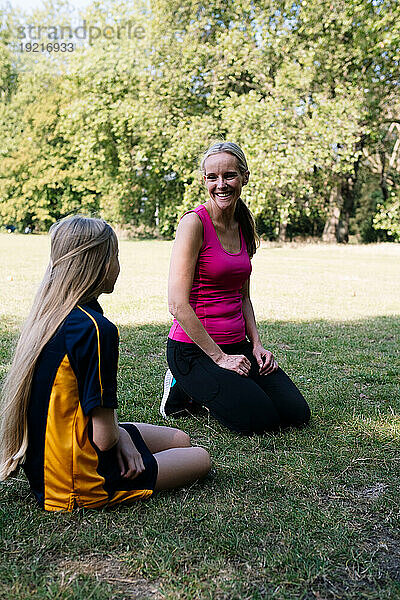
x=75 y=372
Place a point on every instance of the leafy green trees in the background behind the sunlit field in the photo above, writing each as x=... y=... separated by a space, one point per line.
x=310 y=91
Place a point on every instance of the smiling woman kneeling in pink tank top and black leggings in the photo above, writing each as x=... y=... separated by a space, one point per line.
x=212 y=362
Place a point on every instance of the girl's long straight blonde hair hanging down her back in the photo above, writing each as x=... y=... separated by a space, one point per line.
x=81 y=250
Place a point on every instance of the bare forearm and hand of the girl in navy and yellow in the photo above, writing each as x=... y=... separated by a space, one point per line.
x=107 y=434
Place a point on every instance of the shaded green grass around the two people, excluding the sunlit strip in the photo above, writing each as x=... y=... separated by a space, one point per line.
x=299 y=514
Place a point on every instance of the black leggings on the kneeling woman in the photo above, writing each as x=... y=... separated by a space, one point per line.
x=247 y=405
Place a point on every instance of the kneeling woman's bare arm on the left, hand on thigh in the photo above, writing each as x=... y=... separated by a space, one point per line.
x=185 y=252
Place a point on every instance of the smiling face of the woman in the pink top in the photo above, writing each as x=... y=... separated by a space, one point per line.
x=223 y=179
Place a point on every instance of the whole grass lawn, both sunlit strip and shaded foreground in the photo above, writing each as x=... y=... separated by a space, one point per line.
x=303 y=514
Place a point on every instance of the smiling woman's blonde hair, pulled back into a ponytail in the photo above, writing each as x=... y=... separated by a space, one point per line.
x=242 y=213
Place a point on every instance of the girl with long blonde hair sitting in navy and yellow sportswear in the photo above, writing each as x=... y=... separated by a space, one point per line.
x=60 y=397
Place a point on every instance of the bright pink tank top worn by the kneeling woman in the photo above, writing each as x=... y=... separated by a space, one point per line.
x=215 y=296
